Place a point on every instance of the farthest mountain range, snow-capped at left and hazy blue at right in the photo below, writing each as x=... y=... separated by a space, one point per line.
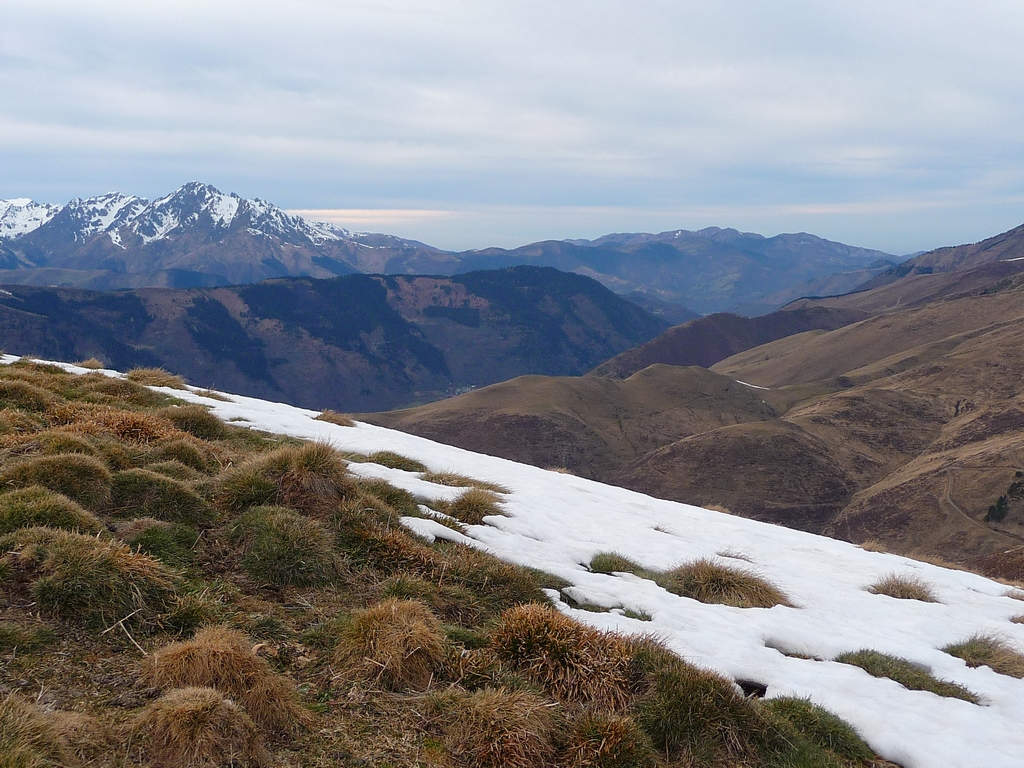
x=200 y=237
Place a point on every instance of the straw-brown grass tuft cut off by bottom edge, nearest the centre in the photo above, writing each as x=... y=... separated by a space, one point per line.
x=499 y=729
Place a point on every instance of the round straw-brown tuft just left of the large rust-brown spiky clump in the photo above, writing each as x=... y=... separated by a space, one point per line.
x=397 y=645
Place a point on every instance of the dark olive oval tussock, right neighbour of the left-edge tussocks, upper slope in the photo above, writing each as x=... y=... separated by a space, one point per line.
x=141 y=493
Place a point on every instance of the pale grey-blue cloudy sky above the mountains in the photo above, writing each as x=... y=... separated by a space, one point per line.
x=892 y=124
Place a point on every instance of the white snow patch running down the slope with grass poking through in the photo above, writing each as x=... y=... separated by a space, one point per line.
x=559 y=523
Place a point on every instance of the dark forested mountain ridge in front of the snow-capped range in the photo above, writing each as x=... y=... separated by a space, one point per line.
x=355 y=343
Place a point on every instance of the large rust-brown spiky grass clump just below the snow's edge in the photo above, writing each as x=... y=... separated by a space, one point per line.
x=574 y=663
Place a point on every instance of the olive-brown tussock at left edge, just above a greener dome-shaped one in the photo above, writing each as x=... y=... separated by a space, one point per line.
x=82 y=479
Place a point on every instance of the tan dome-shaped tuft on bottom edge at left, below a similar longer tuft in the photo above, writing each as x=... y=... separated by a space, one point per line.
x=198 y=729
